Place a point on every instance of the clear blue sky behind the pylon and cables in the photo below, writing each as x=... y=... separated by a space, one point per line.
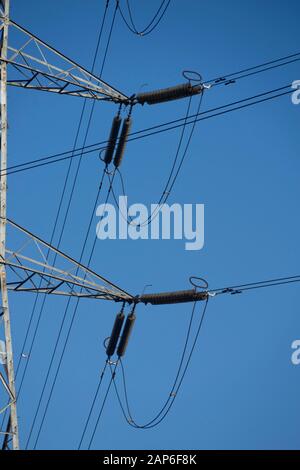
x=241 y=390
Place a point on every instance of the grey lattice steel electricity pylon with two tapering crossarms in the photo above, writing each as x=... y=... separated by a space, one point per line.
x=38 y=66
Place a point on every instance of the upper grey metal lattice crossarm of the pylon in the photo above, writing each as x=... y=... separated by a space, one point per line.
x=36 y=65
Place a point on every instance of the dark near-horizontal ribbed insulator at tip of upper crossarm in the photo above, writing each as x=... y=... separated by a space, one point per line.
x=169 y=94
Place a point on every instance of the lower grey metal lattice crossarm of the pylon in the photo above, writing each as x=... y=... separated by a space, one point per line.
x=29 y=270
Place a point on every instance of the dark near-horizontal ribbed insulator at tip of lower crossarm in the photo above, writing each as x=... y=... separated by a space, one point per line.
x=173 y=297
